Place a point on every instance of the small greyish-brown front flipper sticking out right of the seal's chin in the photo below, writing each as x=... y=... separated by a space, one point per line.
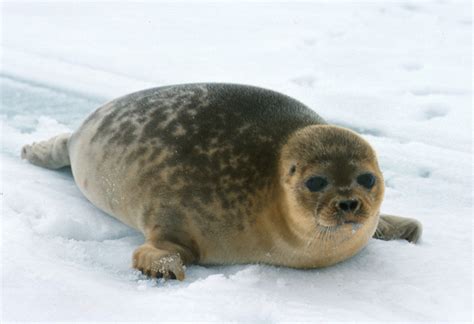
x=395 y=227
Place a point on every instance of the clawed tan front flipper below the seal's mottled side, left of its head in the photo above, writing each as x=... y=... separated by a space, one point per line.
x=161 y=260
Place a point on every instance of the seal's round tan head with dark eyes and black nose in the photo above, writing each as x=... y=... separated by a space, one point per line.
x=333 y=189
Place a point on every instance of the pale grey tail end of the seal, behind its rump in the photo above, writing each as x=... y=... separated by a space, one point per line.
x=51 y=154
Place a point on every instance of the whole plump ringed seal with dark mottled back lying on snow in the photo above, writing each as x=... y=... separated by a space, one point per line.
x=222 y=173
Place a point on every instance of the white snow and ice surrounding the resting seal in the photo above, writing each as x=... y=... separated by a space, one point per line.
x=398 y=72
